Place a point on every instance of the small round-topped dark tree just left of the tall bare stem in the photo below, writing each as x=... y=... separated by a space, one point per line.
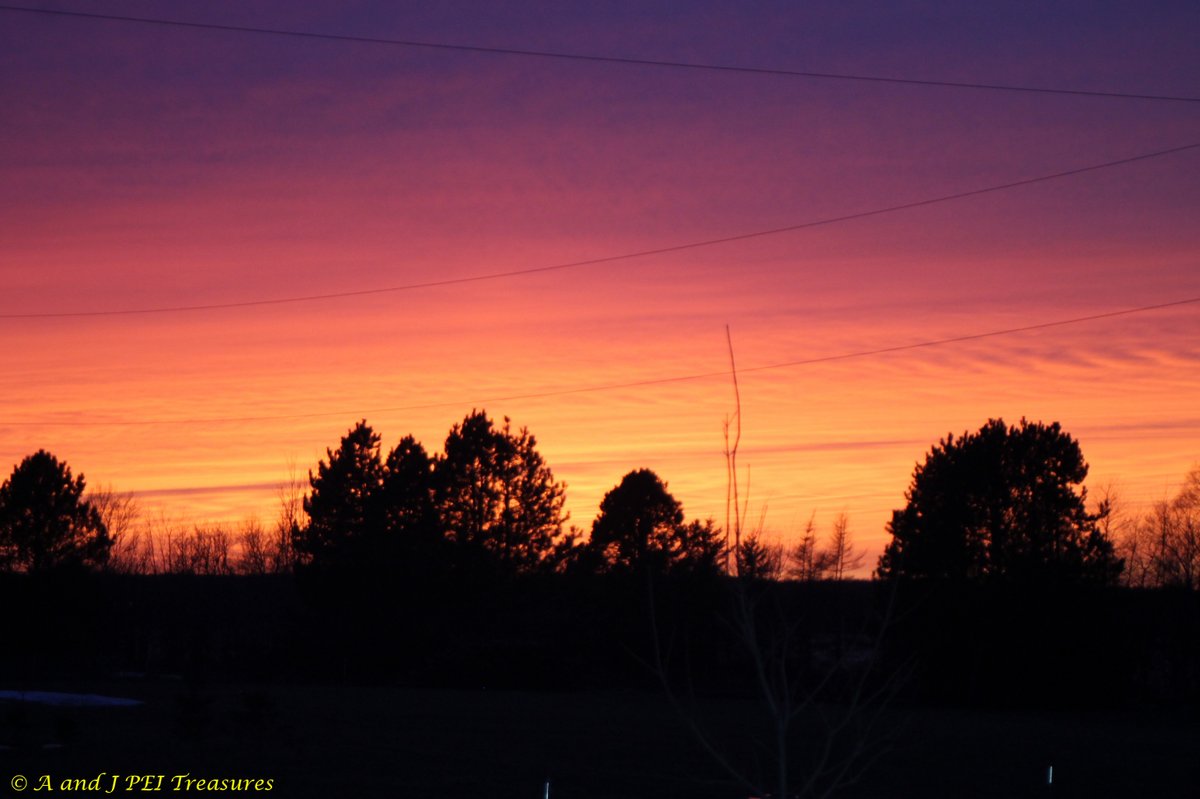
x=643 y=526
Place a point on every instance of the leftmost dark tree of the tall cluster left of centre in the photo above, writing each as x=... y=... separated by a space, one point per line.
x=344 y=506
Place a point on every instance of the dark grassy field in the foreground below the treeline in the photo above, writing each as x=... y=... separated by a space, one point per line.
x=357 y=742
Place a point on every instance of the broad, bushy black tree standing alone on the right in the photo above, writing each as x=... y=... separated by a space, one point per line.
x=1000 y=506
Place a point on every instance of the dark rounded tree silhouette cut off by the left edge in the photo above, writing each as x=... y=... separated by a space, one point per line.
x=45 y=521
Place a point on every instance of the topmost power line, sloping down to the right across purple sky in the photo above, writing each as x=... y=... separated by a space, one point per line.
x=599 y=59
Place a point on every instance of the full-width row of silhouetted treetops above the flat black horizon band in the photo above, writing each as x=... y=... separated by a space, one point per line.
x=1005 y=503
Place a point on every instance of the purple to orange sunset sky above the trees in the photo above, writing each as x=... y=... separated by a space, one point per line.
x=165 y=167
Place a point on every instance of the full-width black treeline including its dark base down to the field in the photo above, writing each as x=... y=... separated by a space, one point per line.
x=460 y=567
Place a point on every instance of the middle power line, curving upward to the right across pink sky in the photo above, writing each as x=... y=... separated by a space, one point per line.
x=604 y=260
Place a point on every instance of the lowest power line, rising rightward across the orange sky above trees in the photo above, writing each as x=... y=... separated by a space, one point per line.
x=616 y=387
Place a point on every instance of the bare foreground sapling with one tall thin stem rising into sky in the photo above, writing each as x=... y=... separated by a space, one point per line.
x=830 y=710
